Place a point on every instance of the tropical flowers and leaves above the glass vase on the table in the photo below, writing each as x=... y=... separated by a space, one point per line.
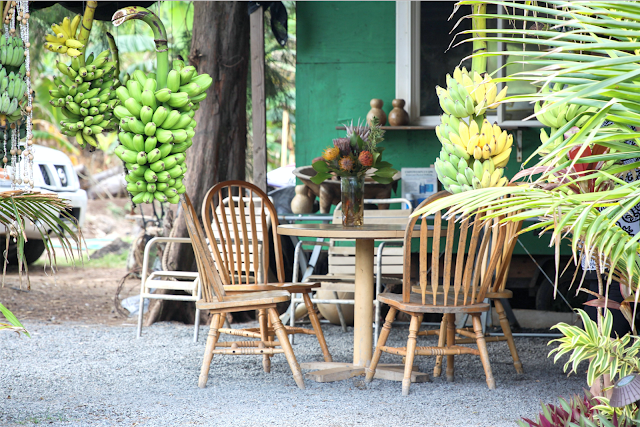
x=357 y=154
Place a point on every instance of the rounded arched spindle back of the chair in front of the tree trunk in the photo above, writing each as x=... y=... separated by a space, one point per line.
x=238 y=217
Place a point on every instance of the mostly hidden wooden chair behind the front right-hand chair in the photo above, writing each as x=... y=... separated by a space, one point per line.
x=495 y=293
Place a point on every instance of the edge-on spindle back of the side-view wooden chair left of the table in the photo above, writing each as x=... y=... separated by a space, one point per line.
x=212 y=288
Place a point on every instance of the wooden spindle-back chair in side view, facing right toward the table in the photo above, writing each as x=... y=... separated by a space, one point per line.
x=218 y=302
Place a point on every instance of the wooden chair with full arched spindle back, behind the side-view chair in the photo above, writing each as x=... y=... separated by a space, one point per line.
x=238 y=217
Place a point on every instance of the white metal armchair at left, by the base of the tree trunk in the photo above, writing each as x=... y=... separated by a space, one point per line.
x=187 y=281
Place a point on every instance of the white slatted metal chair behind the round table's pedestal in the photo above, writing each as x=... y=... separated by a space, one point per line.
x=341 y=277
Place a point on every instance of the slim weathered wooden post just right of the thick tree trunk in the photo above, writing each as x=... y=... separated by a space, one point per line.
x=258 y=100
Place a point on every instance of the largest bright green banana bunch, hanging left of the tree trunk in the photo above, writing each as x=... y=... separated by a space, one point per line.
x=156 y=130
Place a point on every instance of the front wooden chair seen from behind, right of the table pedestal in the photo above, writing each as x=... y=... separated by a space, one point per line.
x=471 y=278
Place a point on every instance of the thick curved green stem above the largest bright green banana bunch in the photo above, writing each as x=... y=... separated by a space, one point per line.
x=159 y=35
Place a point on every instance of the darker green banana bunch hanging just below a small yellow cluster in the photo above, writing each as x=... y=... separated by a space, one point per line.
x=86 y=96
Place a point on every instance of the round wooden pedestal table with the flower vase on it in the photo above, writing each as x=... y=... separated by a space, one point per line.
x=364 y=289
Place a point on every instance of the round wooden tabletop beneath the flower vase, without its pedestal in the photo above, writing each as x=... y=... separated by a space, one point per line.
x=337 y=231
